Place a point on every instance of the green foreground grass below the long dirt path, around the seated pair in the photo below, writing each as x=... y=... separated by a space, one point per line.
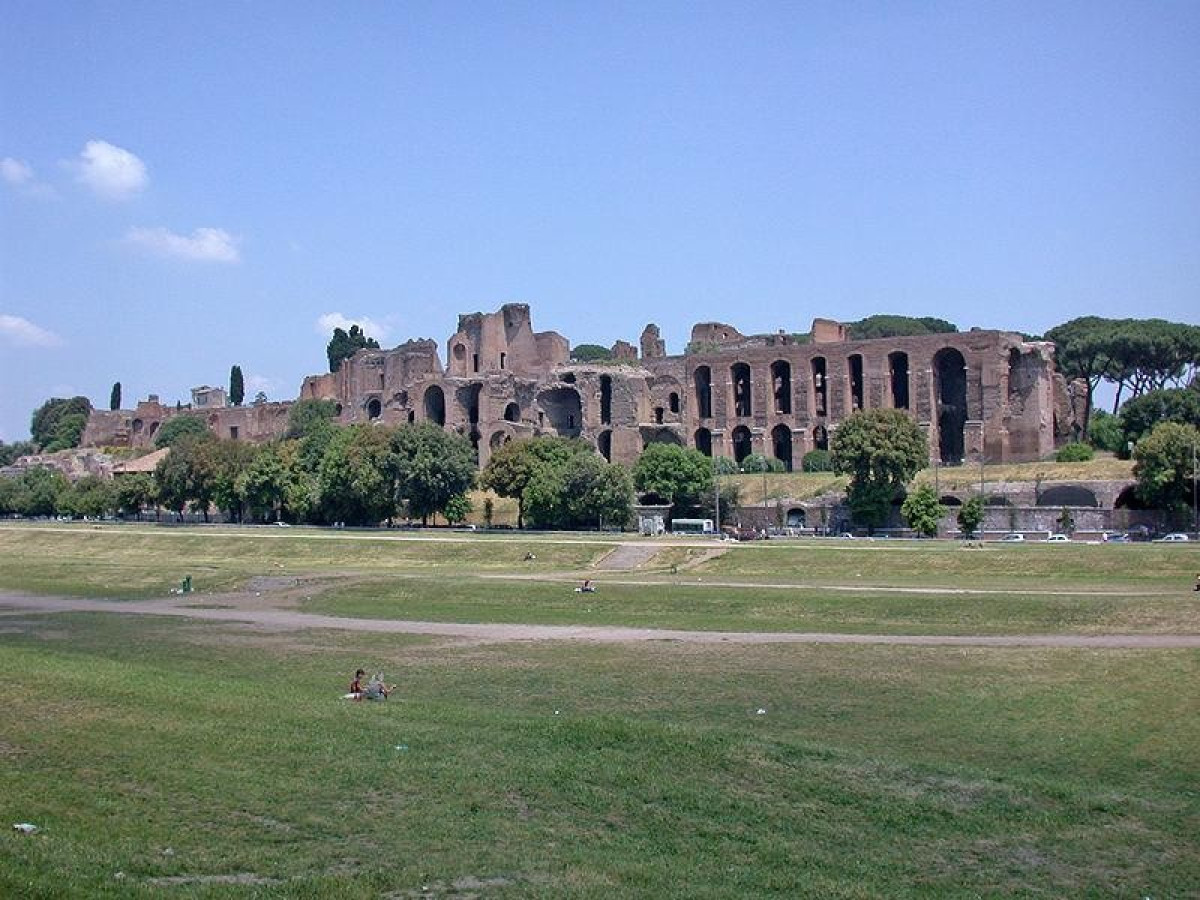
x=875 y=772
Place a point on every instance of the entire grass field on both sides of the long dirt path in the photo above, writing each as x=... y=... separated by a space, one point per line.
x=172 y=758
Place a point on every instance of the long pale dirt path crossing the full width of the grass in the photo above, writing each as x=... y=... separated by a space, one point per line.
x=243 y=609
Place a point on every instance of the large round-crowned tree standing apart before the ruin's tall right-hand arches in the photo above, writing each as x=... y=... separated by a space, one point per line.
x=881 y=451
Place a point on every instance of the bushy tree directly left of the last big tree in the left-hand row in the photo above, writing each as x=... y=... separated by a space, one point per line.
x=357 y=479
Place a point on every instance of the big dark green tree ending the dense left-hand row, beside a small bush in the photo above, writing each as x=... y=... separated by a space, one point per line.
x=433 y=466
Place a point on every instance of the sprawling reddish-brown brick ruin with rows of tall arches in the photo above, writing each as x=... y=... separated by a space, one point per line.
x=989 y=393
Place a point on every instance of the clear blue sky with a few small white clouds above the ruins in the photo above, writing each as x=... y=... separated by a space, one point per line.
x=188 y=187
